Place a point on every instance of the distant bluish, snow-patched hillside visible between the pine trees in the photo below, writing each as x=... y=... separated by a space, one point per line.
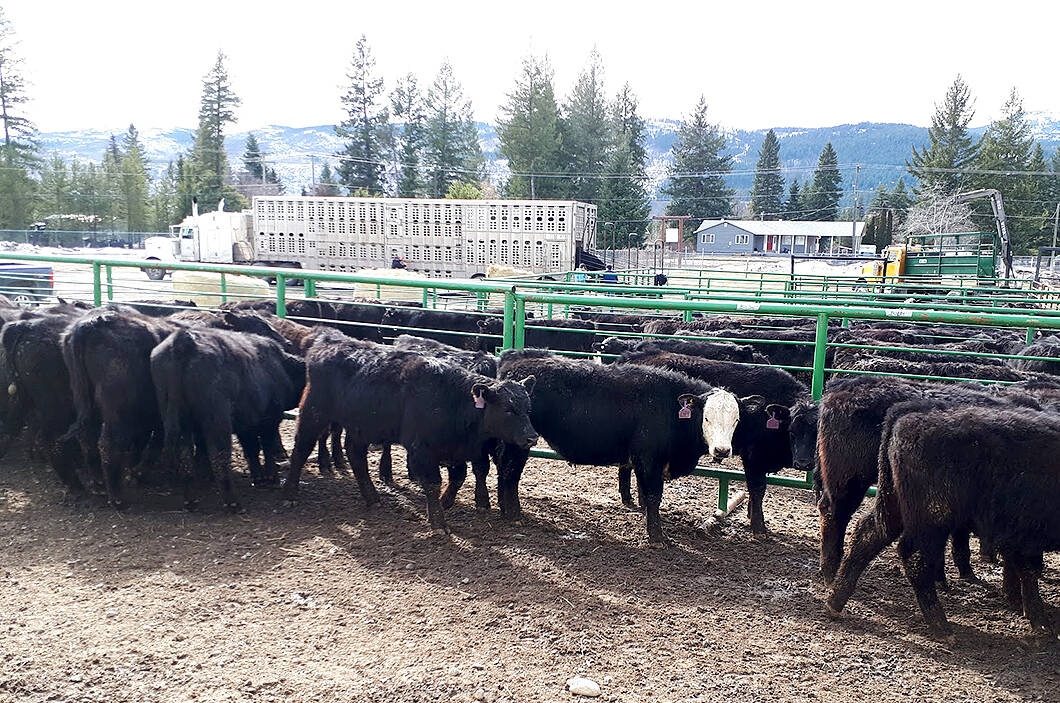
x=881 y=148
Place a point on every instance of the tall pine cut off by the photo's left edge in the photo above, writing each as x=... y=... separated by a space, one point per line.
x=19 y=152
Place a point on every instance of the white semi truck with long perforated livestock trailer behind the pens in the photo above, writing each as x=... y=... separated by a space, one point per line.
x=437 y=238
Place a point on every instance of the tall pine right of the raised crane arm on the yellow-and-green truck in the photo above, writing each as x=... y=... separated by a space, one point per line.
x=1009 y=147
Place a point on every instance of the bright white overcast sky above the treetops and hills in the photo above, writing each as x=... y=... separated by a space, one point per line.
x=105 y=64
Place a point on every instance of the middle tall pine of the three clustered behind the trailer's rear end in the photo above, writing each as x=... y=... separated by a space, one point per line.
x=587 y=133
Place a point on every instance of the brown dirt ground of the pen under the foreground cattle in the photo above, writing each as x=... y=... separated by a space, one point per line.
x=328 y=601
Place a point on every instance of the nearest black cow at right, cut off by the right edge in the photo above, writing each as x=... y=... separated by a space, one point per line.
x=955 y=468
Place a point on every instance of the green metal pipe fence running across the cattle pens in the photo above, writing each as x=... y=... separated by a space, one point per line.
x=102 y=280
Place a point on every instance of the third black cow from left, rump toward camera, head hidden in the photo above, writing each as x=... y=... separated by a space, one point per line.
x=211 y=384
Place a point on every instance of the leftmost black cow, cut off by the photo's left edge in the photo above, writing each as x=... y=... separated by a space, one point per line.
x=41 y=386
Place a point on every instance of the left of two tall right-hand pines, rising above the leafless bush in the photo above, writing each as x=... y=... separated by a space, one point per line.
x=950 y=147
